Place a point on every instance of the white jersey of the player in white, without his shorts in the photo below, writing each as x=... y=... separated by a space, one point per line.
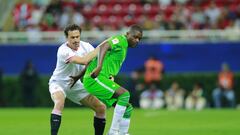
x=63 y=69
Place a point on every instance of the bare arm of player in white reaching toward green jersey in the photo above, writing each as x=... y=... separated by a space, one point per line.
x=85 y=59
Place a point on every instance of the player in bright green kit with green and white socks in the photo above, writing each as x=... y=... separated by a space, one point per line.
x=100 y=71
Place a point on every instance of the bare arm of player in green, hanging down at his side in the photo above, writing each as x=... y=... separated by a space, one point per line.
x=104 y=47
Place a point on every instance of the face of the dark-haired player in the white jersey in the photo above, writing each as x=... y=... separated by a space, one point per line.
x=73 y=39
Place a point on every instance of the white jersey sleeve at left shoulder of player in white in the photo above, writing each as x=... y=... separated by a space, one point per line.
x=64 y=54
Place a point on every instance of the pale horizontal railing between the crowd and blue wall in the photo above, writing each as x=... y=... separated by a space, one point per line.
x=149 y=36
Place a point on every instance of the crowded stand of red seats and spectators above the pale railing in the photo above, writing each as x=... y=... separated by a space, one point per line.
x=115 y=14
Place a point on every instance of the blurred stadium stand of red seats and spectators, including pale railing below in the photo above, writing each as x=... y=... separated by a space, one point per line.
x=164 y=20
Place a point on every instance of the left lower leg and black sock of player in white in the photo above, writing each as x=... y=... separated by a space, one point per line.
x=58 y=98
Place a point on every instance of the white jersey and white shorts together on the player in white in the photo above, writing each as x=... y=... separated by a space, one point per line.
x=60 y=80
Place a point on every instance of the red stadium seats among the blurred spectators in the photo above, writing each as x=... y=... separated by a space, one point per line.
x=115 y=14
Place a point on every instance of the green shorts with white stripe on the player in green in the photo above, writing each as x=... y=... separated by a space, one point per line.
x=101 y=87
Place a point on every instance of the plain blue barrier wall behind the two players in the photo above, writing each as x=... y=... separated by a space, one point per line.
x=177 y=57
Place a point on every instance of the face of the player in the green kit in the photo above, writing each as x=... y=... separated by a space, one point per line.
x=133 y=38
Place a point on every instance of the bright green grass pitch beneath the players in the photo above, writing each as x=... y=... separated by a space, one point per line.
x=78 y=121
